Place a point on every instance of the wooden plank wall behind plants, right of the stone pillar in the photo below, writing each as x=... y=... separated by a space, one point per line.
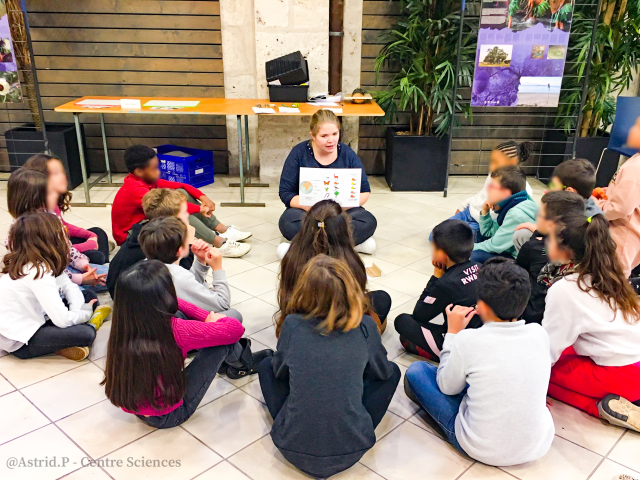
x=472 y=144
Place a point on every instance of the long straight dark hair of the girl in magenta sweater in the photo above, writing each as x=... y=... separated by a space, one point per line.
x=144 y=362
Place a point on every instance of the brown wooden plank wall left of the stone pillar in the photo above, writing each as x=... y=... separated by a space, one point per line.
x=129 y=48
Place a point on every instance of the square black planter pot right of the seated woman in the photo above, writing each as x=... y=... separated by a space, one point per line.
x=416 y=162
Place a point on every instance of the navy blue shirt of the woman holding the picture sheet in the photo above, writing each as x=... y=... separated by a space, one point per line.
x=302 y=156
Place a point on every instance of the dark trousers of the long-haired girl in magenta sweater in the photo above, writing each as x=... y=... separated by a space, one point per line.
x=198 y=377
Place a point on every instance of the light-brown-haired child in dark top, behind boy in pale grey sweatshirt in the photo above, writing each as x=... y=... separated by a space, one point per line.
x=157 y=203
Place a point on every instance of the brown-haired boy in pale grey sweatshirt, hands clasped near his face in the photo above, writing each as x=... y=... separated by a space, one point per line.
x=166 y=239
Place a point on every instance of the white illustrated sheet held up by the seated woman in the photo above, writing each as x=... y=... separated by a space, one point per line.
x=339 y=184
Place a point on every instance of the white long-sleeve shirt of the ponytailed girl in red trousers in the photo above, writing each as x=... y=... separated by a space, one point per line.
x=576 y=318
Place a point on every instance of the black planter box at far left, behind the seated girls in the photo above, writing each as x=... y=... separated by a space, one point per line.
x=25 y=141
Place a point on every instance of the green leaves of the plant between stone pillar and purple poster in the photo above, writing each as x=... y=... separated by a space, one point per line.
x=423 y=46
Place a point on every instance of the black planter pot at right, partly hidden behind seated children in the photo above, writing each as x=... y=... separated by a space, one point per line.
x=589 y=148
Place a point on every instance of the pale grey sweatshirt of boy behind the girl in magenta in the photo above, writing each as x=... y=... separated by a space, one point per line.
x=191 y=286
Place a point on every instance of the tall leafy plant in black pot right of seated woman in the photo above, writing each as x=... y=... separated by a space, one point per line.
x=422 y=47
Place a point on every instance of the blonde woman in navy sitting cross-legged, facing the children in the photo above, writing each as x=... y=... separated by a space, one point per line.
x=324 y=150
